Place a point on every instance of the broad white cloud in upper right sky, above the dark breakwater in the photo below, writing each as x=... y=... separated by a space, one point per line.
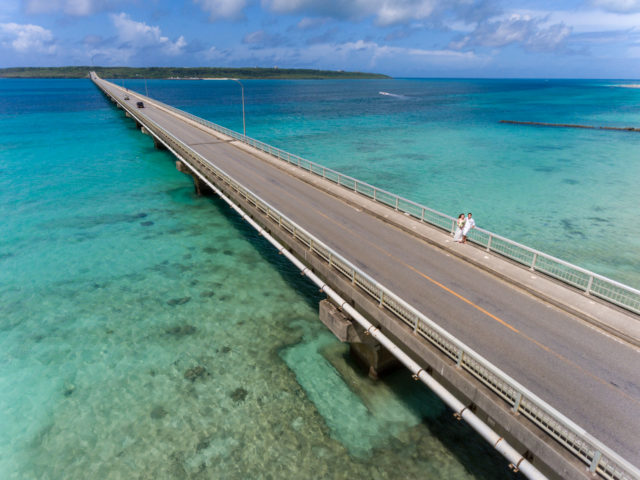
x=532 y=33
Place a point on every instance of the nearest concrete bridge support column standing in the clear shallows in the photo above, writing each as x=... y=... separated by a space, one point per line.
x=364 y=348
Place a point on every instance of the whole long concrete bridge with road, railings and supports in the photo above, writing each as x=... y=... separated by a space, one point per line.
x=549 y=374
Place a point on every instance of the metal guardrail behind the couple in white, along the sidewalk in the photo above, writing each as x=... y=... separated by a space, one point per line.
x=589 y=282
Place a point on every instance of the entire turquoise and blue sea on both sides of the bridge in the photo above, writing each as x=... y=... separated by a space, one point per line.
x=146 y=332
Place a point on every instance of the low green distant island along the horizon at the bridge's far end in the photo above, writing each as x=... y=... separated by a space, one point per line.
x=195 y=73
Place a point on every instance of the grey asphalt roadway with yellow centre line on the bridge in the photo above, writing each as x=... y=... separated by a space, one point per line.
x=589 y=376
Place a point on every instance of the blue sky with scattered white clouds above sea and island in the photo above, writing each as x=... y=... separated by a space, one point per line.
x=401 y=38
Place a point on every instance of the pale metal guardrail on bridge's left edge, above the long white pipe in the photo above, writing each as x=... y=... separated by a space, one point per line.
x=598 y=457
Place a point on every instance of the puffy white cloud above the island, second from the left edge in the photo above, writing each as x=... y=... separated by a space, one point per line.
x=138 y=35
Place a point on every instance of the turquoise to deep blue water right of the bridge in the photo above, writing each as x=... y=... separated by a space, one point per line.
x=571 y=193
